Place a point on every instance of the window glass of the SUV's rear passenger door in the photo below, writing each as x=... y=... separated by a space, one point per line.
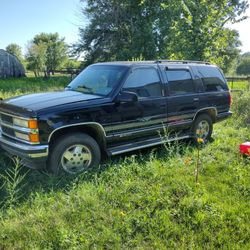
x=180 y=82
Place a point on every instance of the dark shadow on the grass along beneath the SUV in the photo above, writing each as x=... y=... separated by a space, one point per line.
x=40 y=181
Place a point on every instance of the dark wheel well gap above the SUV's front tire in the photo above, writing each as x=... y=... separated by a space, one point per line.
x=92 y=130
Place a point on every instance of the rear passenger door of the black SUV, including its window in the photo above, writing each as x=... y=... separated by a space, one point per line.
x=183 y=98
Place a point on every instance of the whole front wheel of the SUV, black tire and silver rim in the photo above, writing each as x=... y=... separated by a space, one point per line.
x=74 y=154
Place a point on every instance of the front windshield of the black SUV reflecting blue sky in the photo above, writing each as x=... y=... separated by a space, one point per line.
x=98 y=79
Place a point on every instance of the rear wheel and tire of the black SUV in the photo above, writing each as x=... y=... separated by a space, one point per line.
x=202 y=128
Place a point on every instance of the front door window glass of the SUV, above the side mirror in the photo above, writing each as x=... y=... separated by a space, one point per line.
x=145 y=82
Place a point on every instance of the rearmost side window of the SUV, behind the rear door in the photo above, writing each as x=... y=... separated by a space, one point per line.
x=212 y=78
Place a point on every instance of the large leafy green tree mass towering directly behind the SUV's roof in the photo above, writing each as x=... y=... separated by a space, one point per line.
x=190 y=29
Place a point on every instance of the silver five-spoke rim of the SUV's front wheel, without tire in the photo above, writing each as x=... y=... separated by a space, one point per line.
x=76 y=158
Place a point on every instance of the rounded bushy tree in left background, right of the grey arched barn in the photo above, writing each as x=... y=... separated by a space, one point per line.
x=47 y=52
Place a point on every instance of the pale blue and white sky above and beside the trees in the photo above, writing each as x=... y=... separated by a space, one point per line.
x=21 y=20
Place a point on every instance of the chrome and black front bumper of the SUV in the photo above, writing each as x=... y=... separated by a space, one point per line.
x=33 y=156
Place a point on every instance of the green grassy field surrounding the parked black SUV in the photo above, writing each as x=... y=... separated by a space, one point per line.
x=144 y=200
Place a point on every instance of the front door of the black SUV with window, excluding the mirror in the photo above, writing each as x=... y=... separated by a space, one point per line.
x=145 y=117
